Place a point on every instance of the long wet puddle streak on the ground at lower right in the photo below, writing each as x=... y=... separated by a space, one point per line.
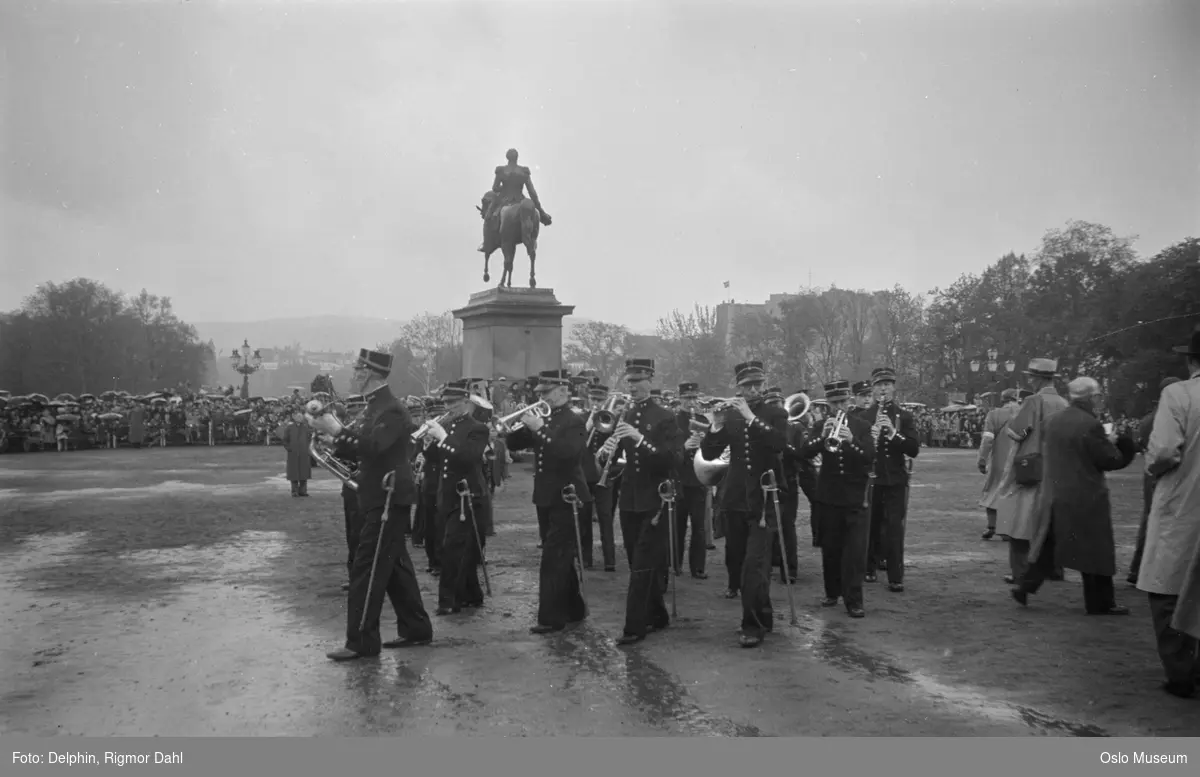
x=827 y=645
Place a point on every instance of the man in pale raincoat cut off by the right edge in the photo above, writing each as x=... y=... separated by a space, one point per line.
x=1171 y=565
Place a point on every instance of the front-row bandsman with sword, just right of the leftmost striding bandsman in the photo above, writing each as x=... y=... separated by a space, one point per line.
x=461 y=444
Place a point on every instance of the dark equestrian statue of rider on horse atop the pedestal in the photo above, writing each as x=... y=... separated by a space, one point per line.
x=512 y=219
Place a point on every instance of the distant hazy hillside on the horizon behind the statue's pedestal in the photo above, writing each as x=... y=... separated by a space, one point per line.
x=319 y=333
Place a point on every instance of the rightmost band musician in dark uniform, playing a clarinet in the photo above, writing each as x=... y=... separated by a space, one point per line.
x=895 y=432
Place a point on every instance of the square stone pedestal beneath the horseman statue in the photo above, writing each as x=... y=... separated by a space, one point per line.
x=512 y=334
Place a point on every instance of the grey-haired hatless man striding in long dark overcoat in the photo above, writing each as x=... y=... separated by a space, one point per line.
x=1073 y=523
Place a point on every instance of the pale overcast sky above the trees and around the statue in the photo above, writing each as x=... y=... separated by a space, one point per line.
x=283 y=159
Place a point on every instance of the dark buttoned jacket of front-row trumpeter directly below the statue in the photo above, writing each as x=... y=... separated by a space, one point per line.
x=557 y=456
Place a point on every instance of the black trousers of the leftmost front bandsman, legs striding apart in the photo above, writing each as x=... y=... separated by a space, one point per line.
x=395 y=579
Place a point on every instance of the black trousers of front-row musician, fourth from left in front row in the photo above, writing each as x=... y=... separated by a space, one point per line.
x=646 y=543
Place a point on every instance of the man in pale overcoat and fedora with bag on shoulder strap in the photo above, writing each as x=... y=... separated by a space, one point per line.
x=1017 y=509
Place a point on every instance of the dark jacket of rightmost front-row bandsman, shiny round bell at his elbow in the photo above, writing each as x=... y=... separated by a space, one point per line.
x=754 y=449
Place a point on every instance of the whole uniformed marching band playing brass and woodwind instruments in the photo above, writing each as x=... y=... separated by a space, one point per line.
x=673 y=471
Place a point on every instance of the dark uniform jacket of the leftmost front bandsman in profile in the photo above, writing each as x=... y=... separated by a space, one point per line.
x=383 y=444
